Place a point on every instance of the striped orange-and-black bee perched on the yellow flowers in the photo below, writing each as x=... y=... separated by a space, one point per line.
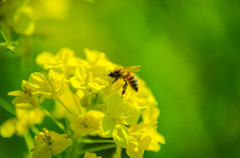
x=127 y=75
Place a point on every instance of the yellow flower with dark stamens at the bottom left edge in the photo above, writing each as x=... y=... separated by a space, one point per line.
x=48 y=142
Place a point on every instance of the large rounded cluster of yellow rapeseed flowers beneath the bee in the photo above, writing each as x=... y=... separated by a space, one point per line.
x=92 y=106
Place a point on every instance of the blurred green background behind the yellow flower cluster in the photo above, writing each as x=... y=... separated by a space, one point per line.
x=189 y=52
